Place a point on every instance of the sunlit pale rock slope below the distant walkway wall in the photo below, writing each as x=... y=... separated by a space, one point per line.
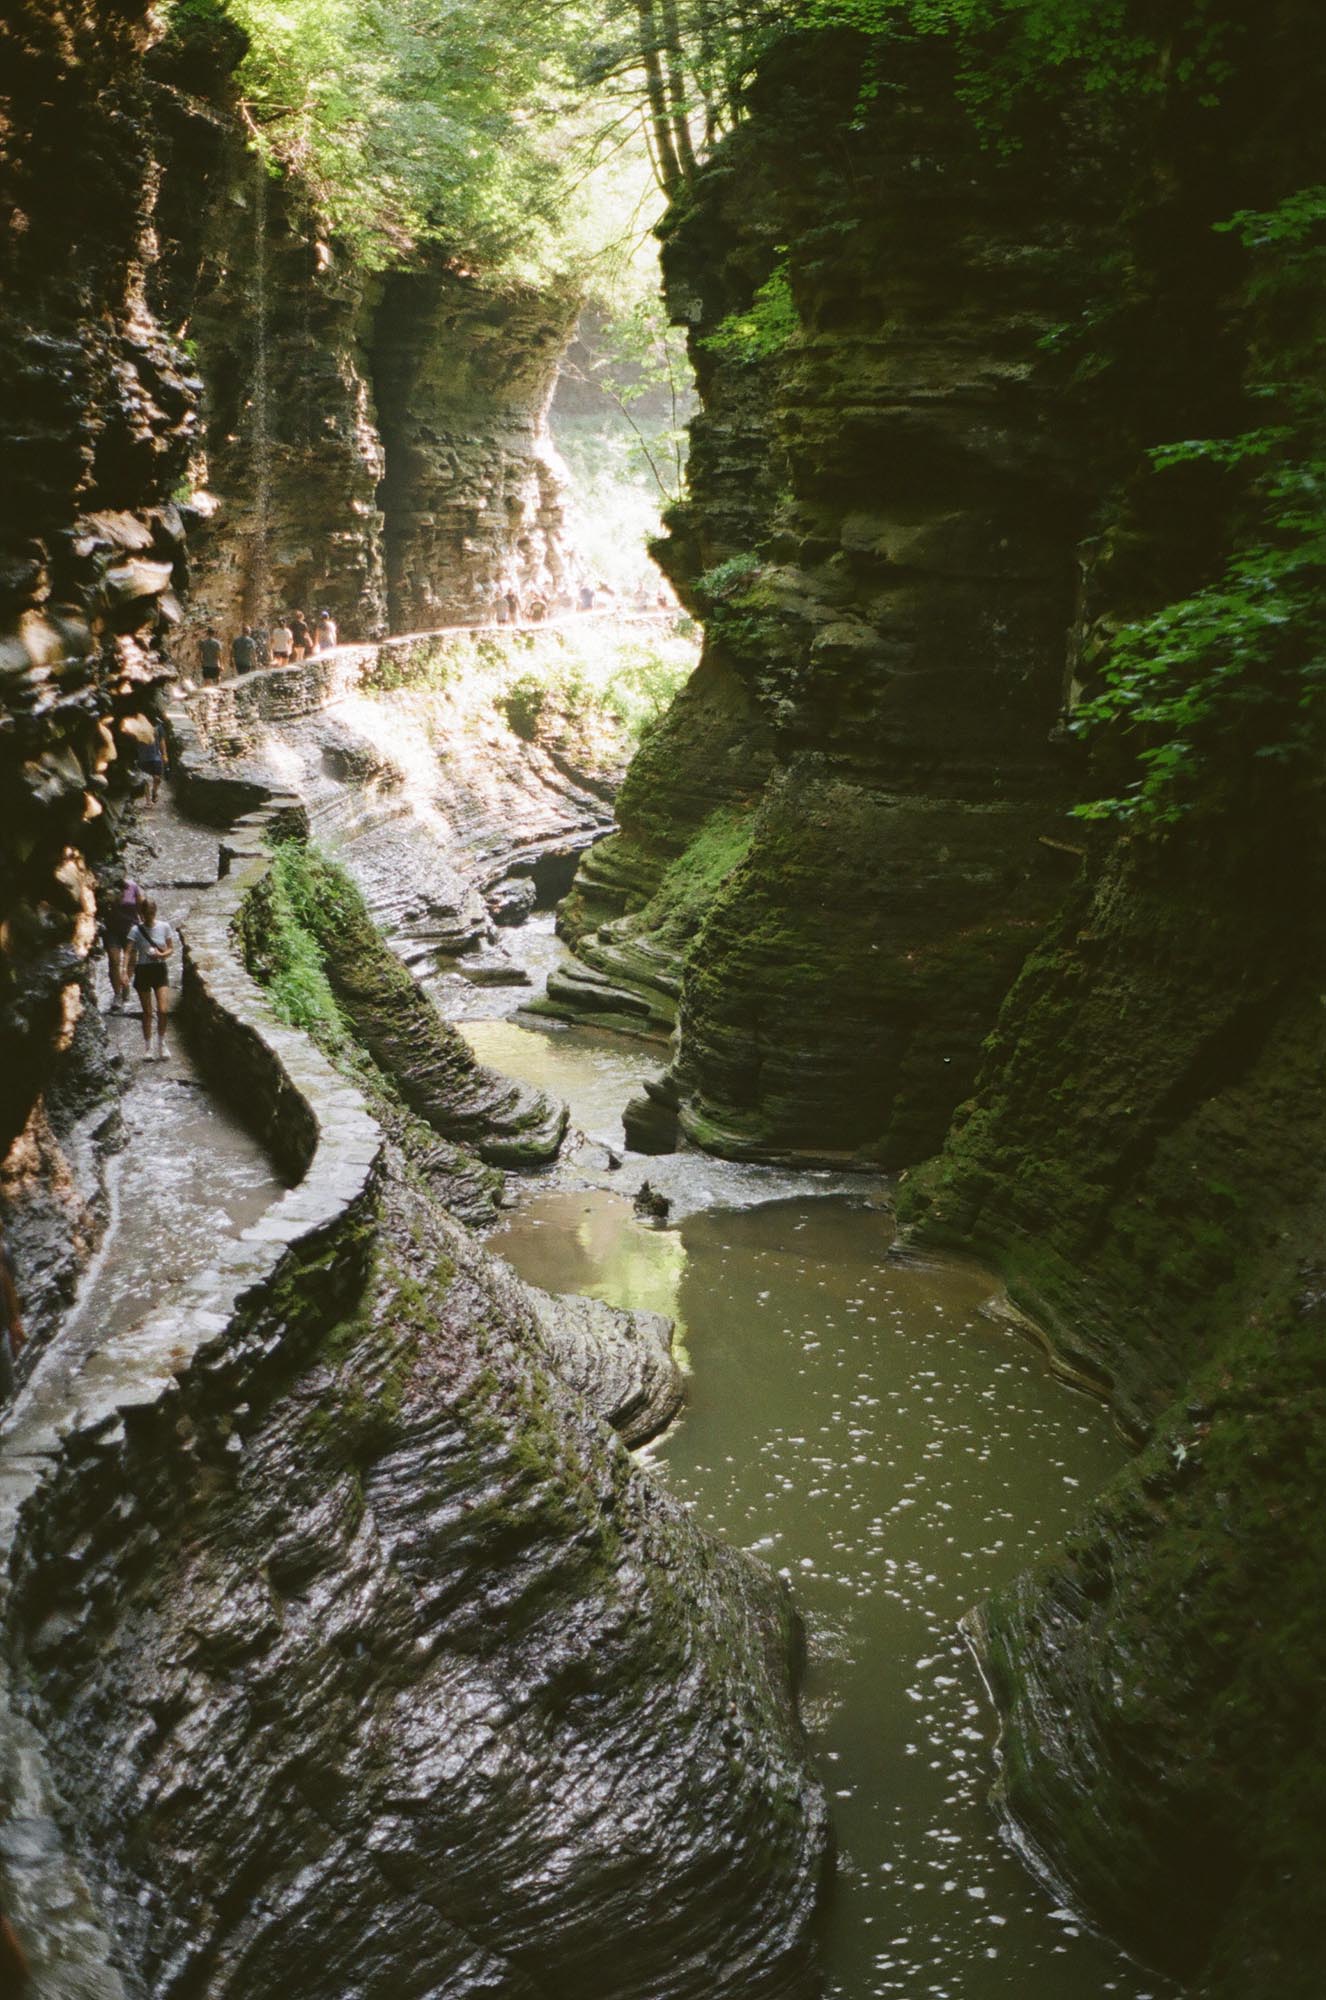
x=407 y=765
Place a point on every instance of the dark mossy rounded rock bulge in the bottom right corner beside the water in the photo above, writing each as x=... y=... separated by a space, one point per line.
x=1163 y=1741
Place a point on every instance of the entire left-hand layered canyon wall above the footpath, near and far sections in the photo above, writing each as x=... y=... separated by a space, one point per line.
x=191 y=437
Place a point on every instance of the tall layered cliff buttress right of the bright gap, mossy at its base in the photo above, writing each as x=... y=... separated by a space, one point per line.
x=887 y=607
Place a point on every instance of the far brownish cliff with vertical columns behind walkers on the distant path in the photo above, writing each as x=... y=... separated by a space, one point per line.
x=367 y=443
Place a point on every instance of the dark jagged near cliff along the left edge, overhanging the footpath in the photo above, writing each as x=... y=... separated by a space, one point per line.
x=97 y=421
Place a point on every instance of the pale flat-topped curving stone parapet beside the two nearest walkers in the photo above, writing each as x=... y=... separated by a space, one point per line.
x=141 y=1389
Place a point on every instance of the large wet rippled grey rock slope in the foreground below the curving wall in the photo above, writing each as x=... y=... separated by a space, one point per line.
x=481 y=1673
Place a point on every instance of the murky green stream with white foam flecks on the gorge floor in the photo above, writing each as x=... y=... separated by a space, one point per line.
x=877 y=1439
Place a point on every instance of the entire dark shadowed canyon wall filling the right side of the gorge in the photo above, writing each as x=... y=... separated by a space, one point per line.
x=845 y=865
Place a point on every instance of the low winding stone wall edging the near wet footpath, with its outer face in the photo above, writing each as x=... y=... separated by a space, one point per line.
x=79 y=1487
